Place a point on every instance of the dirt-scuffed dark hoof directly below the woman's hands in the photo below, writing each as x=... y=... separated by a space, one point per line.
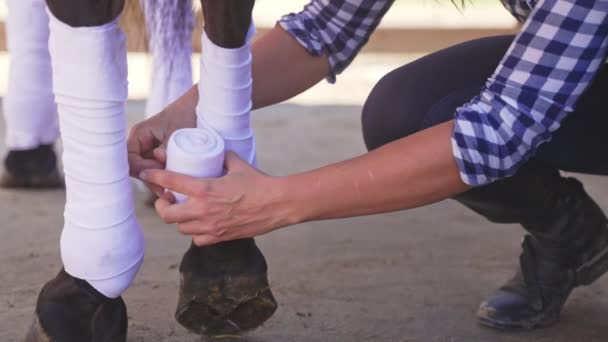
x=224 y=289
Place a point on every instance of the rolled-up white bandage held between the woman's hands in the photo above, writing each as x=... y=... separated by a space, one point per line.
x=196 y=152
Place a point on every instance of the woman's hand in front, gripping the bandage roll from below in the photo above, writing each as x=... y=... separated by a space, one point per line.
x=244 y=203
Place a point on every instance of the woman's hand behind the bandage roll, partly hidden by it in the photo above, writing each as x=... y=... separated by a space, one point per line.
x=147 y=140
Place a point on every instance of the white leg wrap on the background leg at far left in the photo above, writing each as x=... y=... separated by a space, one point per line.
x=29 y=105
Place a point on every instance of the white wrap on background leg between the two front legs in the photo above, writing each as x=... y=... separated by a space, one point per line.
x=171 y=53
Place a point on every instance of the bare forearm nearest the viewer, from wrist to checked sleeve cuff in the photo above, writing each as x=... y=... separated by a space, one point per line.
x=407 y=173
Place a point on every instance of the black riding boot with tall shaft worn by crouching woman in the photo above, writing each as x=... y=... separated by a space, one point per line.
x=567 y=244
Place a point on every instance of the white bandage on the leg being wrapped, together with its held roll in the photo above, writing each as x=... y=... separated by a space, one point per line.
x=224 y=107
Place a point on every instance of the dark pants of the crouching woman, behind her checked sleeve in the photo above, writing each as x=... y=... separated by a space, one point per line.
x=427 y=92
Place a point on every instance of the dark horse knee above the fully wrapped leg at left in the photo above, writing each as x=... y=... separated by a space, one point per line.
x=84 y=13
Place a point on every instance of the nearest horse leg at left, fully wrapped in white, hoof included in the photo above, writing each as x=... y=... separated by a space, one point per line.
x=101 y=242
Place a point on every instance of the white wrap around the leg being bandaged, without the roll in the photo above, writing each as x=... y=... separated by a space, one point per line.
x=225 y=92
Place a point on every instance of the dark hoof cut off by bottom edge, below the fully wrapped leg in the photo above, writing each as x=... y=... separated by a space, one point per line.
x=69 y=309
